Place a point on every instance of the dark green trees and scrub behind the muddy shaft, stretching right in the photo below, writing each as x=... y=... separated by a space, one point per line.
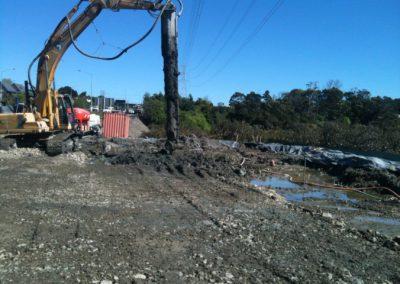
x=329 y=117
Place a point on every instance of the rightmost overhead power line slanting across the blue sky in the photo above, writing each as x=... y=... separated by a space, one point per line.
x=259 y=27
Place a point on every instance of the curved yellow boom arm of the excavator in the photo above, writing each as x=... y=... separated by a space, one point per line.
x=46 y=97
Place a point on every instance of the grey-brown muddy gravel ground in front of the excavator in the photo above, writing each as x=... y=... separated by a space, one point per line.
x=125 y=212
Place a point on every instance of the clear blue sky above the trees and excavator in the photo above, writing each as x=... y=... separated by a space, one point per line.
x=354 y=41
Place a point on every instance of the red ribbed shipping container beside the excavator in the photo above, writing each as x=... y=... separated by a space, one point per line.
x=116 y=125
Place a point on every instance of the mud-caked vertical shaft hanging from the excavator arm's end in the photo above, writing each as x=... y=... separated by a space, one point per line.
x=171 y=71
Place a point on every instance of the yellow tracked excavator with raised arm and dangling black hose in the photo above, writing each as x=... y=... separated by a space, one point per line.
x=47 y=117
